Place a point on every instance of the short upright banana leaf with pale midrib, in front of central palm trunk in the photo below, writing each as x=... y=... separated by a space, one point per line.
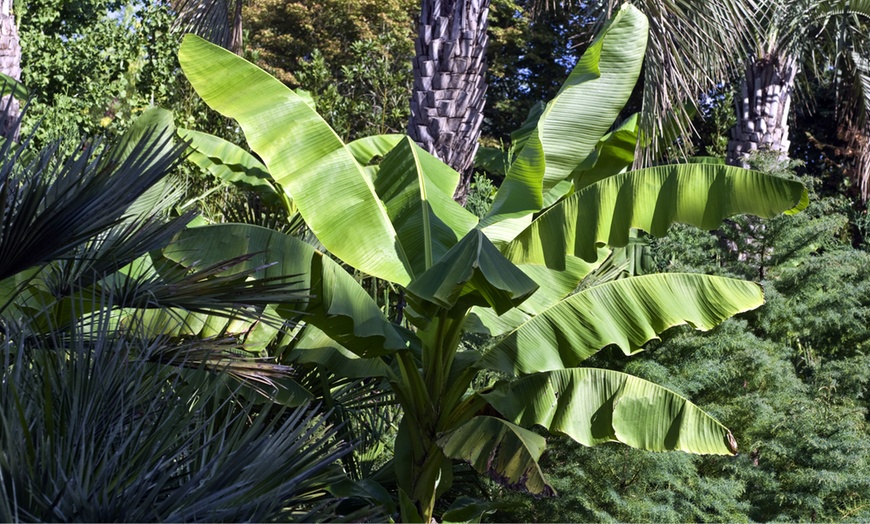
x=417 y=190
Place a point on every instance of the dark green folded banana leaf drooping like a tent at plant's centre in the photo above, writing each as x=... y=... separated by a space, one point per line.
x=474 y=271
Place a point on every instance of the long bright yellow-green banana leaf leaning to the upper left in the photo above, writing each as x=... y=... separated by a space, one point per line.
x=304 y=155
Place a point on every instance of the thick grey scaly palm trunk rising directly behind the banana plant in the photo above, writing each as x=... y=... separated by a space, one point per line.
x=449 y=84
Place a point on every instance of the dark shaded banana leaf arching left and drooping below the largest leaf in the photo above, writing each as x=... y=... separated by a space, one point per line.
x=338 y=305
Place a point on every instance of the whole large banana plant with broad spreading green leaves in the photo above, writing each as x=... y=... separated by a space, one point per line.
x=512 y=274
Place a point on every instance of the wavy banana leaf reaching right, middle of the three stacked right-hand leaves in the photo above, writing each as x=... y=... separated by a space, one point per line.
x=627 y=312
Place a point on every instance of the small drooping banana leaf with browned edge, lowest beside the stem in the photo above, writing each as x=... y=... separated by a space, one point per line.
x=504 y=451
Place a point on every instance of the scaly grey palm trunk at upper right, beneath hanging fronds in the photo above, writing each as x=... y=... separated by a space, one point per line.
x=763 y=107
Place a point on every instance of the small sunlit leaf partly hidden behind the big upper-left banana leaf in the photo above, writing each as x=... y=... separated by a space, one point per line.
x=231 y=163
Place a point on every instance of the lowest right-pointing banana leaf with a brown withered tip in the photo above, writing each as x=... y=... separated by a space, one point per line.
x=593 y=406
